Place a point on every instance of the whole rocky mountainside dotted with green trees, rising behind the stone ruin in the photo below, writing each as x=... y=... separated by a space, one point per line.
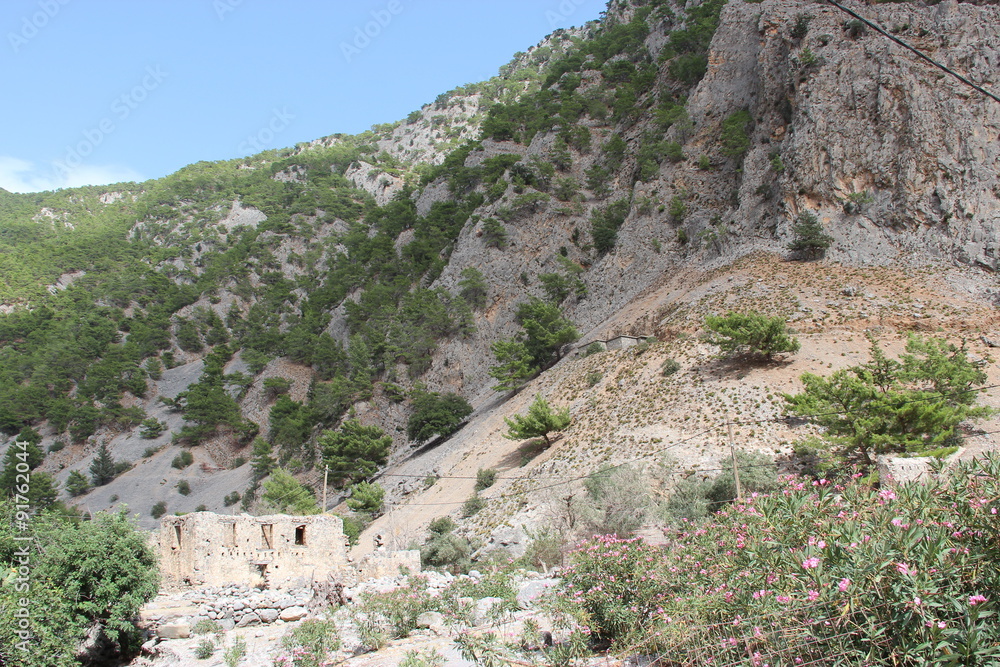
x=652 y=163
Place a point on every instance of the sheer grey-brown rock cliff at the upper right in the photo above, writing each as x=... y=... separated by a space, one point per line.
x=854 y=116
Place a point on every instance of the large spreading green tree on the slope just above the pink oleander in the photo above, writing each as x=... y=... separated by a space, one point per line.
x=886 y=405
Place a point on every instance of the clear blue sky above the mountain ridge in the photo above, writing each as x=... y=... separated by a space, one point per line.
x=100 y=91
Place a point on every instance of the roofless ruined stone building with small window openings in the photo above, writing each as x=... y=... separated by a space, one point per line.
x=209 y=549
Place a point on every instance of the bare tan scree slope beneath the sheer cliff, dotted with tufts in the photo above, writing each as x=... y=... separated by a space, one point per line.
x=624 y=409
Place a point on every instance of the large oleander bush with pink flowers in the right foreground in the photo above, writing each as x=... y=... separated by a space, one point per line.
x=890 y=575
